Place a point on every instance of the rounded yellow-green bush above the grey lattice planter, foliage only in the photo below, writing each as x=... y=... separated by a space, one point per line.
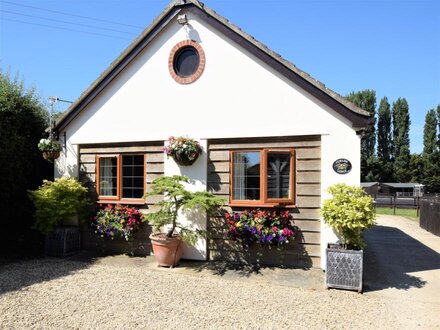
x=349 y=212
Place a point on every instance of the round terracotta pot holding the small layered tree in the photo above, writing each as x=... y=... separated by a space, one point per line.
x=167 y=251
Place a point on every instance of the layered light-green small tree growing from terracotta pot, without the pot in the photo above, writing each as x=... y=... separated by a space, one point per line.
x=177 y=198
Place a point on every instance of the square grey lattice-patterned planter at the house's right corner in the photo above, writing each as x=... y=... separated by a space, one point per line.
x=344 y=269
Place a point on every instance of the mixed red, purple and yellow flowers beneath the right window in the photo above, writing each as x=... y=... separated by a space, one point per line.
x=272 y=228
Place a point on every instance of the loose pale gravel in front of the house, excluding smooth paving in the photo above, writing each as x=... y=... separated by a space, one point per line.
x=63 y=294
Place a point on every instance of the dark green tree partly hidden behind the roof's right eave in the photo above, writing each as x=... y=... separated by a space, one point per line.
x=366 y=100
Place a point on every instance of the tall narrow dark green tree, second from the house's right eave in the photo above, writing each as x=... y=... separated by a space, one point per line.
x=385 y=141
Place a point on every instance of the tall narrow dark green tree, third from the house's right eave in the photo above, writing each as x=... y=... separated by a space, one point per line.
x=401 y=151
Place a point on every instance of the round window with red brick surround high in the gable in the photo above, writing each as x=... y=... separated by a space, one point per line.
x=186 y=62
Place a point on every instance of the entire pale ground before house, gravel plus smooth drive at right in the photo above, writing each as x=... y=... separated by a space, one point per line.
x=132 y=293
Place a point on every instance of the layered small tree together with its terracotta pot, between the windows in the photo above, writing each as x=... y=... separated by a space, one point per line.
x=167 y=246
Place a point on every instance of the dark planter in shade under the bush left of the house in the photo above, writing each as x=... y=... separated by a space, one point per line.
x=63 y=242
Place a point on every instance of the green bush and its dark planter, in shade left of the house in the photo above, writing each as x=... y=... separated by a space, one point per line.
x=56 y=204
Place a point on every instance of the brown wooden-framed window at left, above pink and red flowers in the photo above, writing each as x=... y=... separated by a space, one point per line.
x=120 y=178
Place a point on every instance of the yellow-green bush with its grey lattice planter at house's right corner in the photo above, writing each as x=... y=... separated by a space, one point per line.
x=349 y=212
